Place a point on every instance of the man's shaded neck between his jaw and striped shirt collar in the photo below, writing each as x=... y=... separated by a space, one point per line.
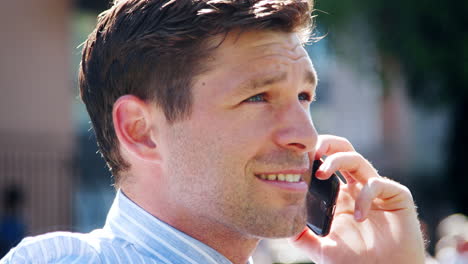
x=227 y=241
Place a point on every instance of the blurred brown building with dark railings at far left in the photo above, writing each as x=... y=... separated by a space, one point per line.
x=36 y=135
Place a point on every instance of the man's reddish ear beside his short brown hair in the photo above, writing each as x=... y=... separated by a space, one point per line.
x=135 y=128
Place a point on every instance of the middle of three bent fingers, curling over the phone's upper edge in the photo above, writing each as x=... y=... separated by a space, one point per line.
x=353 y=164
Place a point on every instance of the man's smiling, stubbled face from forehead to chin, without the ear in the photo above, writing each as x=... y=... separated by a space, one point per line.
x=250 y=120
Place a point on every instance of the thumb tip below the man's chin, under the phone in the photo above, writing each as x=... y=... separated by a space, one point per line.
x=309 y=243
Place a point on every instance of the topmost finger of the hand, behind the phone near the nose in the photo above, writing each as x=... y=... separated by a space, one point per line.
x=329 y=144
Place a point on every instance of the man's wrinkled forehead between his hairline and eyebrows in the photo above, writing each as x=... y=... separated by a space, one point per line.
x=255 y=54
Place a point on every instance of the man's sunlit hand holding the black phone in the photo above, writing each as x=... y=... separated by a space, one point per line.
x=375 y=218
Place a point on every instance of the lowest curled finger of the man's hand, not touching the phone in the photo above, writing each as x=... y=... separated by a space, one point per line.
x=394 y=197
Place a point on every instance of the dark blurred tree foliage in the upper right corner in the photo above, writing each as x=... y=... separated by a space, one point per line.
x=430 y=41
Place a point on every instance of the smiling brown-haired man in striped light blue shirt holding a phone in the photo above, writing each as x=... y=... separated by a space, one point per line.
x=198 y=108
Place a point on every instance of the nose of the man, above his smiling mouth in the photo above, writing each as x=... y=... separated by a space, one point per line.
x=295 y=129
